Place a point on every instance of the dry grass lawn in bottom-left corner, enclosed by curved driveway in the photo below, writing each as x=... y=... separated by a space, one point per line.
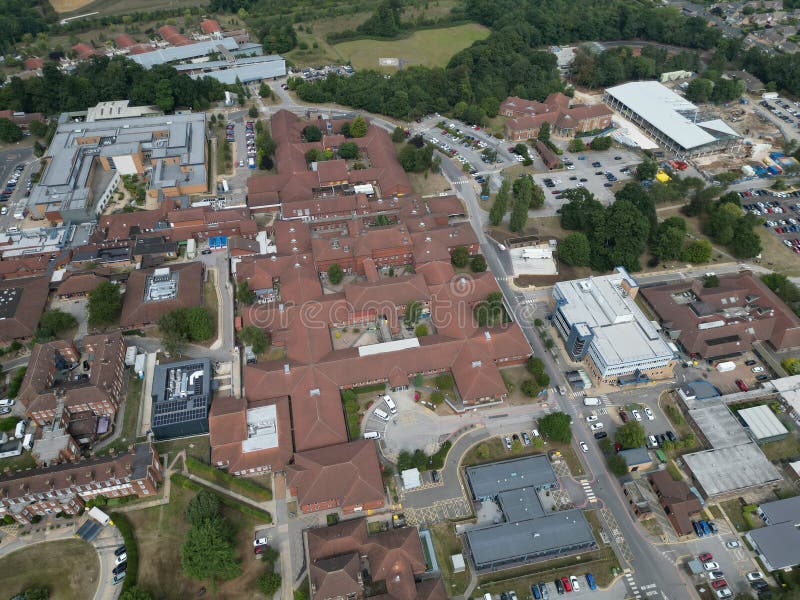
x=68 y=568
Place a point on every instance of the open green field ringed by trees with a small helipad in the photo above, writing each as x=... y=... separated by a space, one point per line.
x=430 y=47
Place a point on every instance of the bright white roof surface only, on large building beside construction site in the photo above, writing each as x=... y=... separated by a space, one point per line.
x=671 y=114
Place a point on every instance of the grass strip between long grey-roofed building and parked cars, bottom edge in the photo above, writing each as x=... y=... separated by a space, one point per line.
x=600 y=563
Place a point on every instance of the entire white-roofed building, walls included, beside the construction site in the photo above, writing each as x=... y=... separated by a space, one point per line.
x=670 y=119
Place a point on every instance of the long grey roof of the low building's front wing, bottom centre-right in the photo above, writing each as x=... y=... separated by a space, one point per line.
x=547 y=534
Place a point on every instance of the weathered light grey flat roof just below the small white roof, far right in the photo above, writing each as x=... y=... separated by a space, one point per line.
x=723 y=470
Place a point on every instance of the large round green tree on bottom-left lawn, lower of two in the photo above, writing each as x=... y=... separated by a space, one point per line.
x=208 y=554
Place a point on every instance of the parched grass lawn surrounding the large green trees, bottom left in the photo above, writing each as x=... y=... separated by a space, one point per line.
x=160 y=531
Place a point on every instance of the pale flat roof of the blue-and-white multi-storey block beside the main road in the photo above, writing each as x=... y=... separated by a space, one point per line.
x=622 y=332
